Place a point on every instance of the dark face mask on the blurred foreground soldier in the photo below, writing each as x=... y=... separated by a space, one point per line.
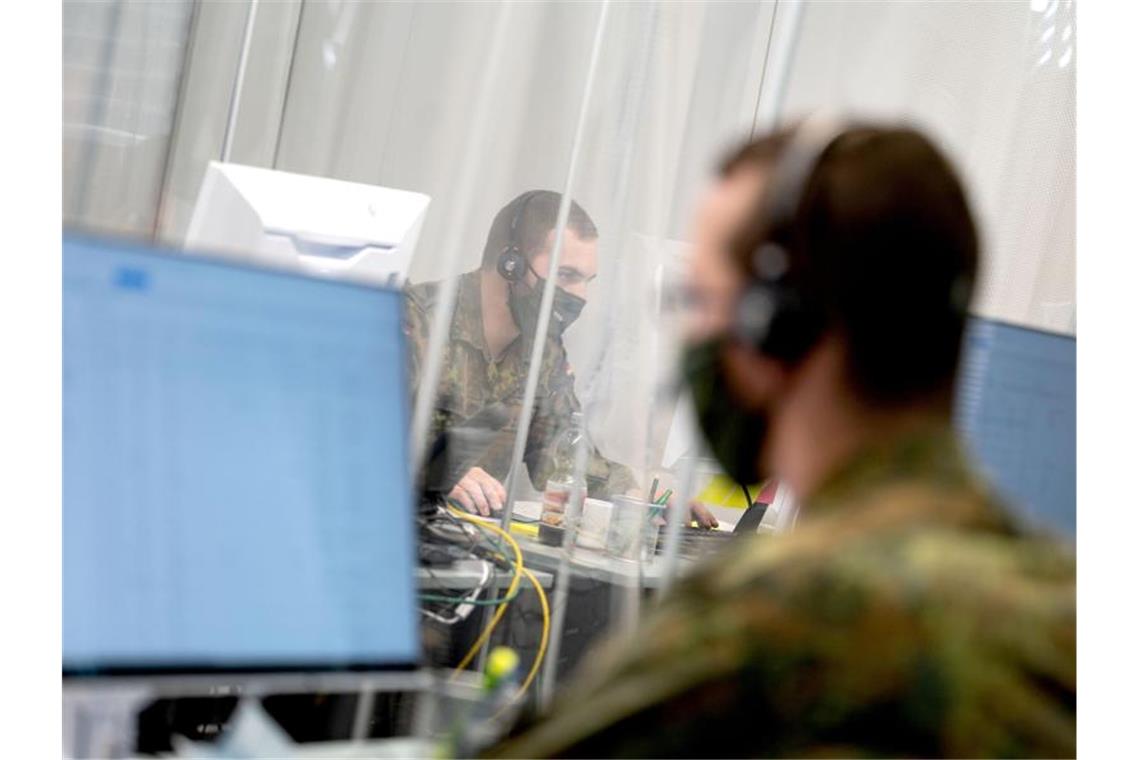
x=735 y=434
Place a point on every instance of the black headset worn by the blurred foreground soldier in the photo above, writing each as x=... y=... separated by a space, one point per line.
x=777 y=316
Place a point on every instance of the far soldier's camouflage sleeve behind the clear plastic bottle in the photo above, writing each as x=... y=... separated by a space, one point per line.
x=553 y=406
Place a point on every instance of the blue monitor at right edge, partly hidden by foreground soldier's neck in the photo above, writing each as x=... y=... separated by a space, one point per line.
x=1017 y=410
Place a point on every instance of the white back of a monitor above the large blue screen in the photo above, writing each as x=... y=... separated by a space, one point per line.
x=319 y=225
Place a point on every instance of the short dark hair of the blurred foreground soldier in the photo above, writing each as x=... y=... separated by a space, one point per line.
x=887 y=246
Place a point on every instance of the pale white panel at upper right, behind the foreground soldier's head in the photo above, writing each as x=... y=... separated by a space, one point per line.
x=996 y=84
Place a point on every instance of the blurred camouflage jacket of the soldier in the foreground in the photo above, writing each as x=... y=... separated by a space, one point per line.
x=906 y=616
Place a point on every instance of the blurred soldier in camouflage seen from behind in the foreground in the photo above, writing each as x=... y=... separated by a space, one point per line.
x=908 y=614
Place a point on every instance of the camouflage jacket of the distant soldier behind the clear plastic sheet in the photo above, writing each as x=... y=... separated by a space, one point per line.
x=474 y=381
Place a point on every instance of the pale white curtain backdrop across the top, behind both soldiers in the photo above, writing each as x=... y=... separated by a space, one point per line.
x=384 y=94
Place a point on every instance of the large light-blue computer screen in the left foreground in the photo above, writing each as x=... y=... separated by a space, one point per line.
x=237 y=487
